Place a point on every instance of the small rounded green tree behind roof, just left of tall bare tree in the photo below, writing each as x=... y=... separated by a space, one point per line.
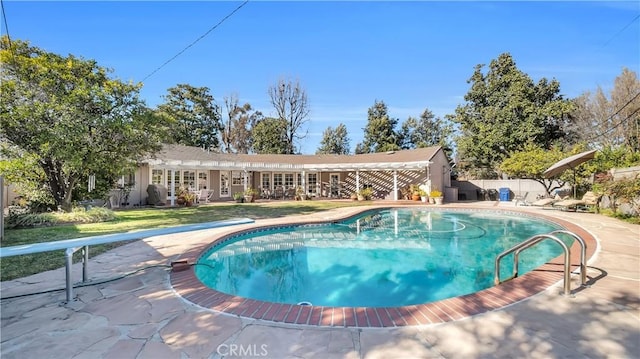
x=269 y=136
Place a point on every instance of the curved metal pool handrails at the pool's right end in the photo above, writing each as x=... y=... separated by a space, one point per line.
x=567 y=257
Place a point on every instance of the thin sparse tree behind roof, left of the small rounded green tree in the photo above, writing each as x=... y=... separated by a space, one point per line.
x=236 y=133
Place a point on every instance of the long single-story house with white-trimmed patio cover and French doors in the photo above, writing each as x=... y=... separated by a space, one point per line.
x=326 y=176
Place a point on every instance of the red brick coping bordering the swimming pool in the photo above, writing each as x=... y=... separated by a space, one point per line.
x=187 y=285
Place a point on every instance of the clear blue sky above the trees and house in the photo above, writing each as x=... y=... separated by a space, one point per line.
x=411 y=55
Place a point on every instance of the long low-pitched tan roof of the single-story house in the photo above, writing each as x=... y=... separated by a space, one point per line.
x=179 y=156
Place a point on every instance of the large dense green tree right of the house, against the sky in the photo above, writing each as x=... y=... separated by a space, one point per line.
x=504 y=109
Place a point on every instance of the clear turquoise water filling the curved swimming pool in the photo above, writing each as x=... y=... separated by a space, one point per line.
x=391 y=257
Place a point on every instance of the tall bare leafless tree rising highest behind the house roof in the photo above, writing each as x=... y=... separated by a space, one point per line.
x=289 y=100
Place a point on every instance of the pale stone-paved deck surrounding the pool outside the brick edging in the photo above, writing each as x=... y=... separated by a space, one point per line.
x=141 y=316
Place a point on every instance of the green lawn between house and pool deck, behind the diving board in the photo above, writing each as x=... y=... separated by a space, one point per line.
x=135 y=219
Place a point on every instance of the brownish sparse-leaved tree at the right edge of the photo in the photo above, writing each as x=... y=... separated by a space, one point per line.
x=610 y=122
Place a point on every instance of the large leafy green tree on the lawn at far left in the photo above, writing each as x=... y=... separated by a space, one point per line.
x=68 y=117
